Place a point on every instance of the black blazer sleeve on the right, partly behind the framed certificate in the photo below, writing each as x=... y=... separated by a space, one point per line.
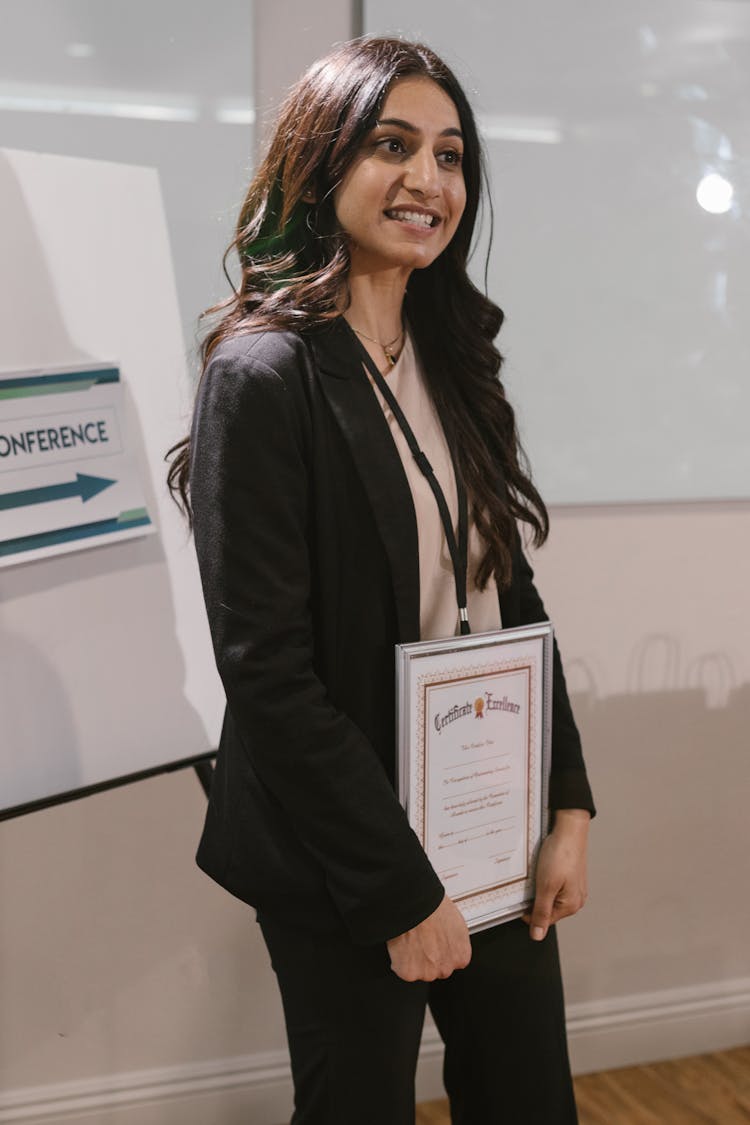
x=570 y=788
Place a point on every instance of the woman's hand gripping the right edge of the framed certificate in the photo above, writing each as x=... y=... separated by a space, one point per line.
x=562 y=887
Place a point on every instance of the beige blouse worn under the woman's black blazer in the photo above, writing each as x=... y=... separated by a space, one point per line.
x=439 y=615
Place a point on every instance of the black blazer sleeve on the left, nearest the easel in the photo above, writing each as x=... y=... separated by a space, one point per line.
x=250 y=493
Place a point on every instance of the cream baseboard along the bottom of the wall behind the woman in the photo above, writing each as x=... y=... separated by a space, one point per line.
x=603 y=1034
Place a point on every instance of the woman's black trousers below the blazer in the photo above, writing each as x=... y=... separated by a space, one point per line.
x=355 y=1030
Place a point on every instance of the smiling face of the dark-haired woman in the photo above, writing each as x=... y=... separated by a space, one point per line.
x=403 y=197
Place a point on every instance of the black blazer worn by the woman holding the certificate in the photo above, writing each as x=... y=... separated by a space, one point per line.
x=308 y=546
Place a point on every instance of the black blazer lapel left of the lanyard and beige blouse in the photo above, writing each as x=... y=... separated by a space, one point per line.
x=368 y=436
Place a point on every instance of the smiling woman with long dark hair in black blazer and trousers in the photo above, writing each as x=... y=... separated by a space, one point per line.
x=321 y=548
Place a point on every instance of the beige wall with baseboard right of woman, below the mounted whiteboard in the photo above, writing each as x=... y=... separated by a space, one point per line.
x=653 y=613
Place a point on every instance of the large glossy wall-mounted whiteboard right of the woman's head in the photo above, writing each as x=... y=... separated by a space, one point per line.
x=627 y=339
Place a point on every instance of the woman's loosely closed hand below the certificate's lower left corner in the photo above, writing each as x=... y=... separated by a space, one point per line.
x=433 y=949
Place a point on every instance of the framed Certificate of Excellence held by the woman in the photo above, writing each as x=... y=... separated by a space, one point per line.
x=474 y=719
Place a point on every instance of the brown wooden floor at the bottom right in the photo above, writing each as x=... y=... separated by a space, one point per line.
x=711 y=1090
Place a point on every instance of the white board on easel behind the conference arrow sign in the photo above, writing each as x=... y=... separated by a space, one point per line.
x=106 y=668
